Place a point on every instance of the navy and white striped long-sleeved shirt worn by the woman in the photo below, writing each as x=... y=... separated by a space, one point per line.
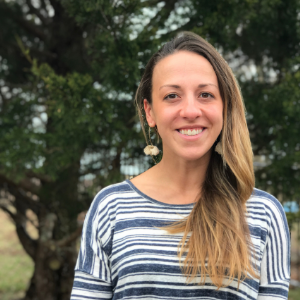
x=125 y=254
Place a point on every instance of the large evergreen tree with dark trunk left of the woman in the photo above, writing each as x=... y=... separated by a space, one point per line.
x=69 y=70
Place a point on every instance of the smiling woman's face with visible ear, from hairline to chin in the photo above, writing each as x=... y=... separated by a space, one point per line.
x=186 y=105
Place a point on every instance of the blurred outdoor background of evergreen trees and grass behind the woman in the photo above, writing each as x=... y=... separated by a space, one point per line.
x=69 y=70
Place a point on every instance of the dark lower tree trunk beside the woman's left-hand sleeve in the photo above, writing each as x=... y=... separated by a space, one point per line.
x=55 y=252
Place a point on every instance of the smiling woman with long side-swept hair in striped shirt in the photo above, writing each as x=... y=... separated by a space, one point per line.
x=193 y=226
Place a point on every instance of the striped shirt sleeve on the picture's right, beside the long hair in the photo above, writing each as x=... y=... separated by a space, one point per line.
x=275 y=264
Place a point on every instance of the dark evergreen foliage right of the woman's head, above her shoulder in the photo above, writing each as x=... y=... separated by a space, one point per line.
x=263 y=36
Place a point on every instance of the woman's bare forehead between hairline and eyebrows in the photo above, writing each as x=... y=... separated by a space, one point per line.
x=183 y=67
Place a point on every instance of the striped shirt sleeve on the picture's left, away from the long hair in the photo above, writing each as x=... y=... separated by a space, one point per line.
x=92 y=271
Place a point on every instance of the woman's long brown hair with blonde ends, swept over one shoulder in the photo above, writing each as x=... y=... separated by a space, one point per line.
x=216 y=240
